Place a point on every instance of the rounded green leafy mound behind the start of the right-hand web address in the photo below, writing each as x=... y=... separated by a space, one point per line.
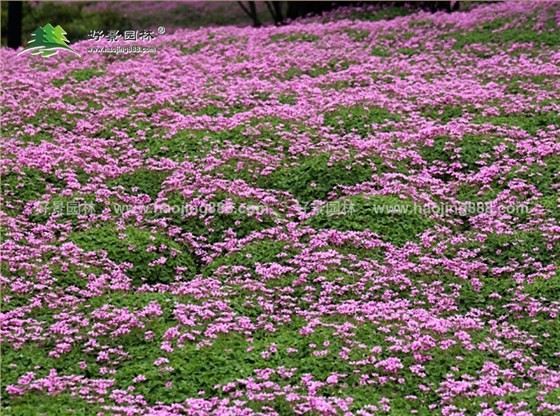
x=394 y=219
